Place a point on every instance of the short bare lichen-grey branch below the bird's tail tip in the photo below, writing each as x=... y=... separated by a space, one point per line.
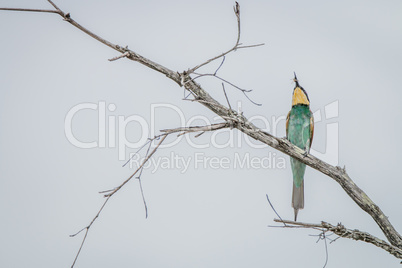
x=343 y=232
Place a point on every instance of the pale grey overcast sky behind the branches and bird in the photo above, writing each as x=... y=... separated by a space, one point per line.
x=202 y=212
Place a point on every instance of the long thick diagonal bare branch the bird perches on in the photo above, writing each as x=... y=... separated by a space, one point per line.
x=245 y=126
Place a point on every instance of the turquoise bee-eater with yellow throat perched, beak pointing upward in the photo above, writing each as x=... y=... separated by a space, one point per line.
x=299 y=131
